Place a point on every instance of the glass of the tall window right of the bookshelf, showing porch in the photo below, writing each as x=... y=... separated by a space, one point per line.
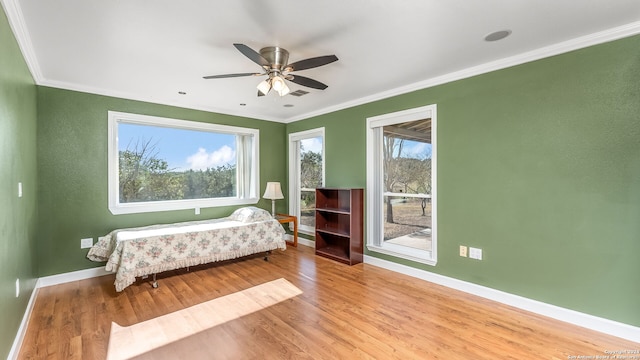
x=406 y=153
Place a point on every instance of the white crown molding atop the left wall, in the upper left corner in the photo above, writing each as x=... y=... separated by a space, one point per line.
x=16 y=21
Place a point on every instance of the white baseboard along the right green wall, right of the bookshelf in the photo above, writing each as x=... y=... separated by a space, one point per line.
x=595 y=323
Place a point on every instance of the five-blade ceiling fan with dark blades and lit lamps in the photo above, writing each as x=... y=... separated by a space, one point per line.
x=273 y=60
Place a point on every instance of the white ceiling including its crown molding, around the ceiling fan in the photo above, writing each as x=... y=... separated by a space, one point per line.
x=152 y=49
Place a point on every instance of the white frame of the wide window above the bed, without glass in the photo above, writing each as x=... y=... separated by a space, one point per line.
x=248 y=165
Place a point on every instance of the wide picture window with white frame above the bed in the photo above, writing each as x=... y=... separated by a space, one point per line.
x=159 y=164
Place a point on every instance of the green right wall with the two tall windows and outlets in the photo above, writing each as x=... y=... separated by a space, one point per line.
x=538 y=165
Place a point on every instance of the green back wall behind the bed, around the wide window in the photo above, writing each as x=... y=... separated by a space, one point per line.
x=72 y=167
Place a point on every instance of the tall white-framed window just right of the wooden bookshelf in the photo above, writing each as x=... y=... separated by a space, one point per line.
x=401 y=184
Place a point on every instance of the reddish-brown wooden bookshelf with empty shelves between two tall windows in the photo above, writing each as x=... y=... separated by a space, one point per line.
x=339 y=224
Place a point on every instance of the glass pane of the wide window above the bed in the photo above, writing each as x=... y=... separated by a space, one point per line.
x=159 y=163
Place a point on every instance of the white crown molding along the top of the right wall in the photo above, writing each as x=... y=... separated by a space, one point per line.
x=541 y=53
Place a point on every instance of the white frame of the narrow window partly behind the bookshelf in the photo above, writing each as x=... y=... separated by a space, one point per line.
x=294 y=172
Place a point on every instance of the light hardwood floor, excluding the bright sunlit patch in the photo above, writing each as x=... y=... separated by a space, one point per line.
x=343 y=313
